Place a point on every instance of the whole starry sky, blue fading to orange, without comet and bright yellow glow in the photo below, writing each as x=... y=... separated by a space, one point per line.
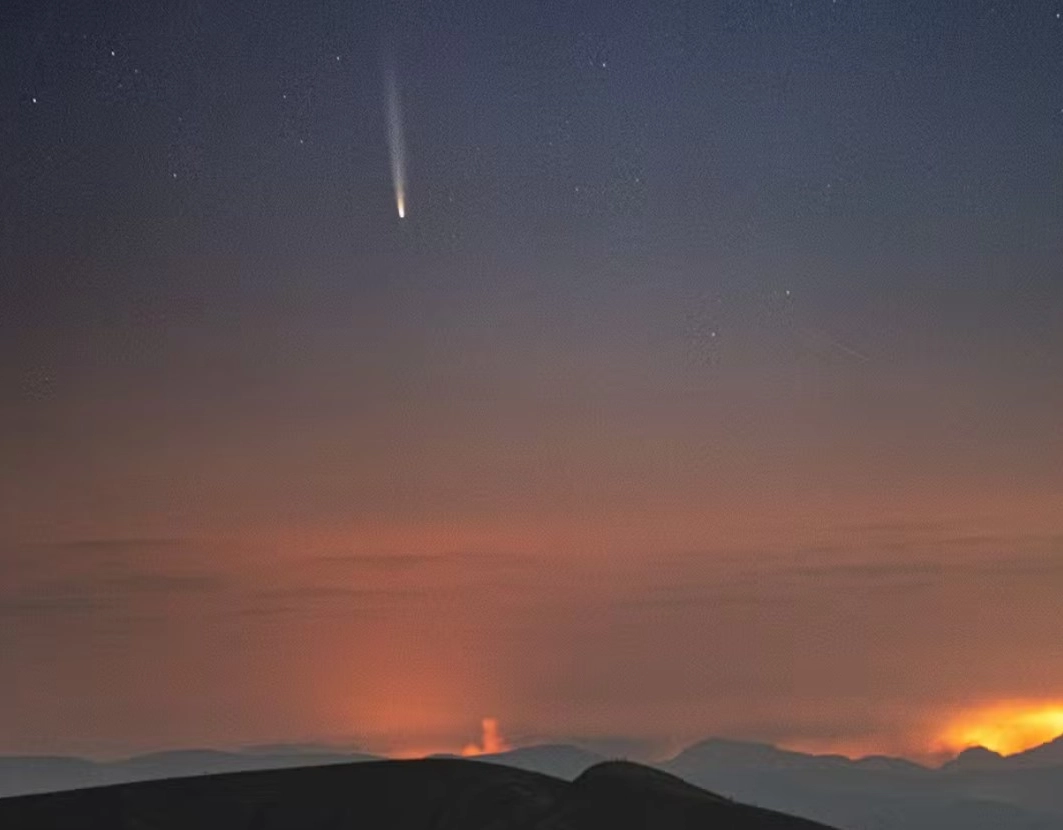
x=713 y=384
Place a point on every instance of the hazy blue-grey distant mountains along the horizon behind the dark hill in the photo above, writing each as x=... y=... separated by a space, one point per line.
x=978 y=790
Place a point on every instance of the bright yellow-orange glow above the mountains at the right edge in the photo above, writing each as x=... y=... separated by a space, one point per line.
x=1006 y=729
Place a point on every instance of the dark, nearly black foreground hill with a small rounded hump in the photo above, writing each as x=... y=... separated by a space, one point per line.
x=398 y=795
